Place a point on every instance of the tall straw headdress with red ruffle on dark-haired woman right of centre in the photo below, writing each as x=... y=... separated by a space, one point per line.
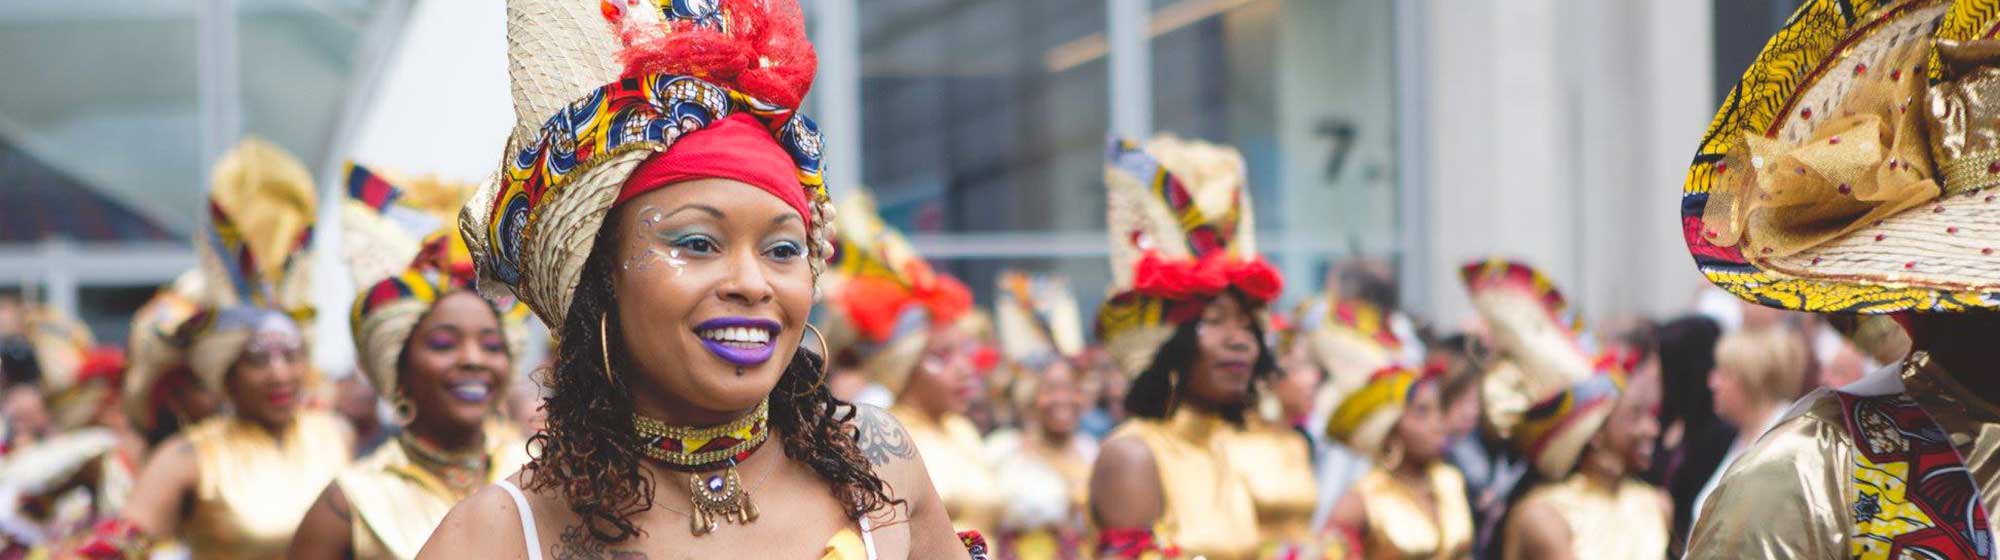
x=1183 y=233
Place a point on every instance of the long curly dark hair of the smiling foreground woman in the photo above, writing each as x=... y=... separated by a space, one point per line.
x=591 y=457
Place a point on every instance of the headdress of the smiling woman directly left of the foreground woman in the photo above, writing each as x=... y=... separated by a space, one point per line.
x=405 y=253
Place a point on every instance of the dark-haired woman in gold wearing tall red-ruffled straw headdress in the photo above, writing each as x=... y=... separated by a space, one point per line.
x=1185 y=321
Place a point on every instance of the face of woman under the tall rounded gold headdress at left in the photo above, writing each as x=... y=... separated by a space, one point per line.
x=265 y=381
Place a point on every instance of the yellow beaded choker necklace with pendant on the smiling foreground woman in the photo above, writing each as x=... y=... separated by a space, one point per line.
x=715 y=451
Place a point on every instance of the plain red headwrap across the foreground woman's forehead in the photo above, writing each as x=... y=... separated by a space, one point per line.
x=735 y=149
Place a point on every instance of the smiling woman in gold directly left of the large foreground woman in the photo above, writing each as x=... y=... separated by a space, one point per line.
x=439 y=353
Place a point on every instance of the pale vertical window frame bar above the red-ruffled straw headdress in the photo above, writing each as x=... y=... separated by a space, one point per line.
x=1131 y=67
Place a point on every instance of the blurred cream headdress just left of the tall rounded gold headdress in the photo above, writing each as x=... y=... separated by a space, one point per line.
x=155 y=349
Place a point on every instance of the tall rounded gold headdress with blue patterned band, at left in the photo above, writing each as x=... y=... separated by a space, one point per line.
x=253 y=255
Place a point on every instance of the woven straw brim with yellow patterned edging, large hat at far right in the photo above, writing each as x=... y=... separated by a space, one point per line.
x=1937 y=257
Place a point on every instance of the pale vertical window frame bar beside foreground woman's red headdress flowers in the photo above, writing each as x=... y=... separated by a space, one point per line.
x=839 y=89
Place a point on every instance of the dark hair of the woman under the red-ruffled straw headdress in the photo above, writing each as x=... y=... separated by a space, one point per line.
x=1155 y=393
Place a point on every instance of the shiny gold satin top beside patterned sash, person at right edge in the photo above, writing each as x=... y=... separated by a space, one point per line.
x=1791 y=495
